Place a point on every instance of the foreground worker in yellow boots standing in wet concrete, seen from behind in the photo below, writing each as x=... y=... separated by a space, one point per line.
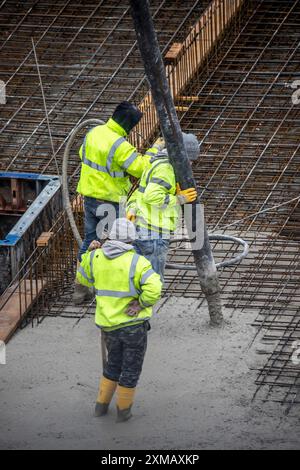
x=126 y=289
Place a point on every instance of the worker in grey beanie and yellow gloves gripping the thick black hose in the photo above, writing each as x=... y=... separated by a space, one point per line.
x=155 y=205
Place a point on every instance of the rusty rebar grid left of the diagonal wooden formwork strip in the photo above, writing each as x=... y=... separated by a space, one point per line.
x=89 y=62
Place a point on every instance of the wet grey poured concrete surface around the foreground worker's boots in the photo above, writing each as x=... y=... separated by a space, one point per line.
x=195 y=390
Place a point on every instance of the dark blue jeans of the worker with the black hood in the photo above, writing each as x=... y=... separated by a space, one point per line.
x=91 y=220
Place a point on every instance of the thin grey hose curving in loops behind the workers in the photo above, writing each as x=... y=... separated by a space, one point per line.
x=67 y=204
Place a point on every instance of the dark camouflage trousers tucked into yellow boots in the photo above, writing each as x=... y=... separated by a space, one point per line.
x=126 y=348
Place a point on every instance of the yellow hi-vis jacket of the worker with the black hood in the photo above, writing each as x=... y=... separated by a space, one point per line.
x=107 y=161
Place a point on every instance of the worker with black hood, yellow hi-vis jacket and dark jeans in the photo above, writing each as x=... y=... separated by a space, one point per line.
x=107 y=161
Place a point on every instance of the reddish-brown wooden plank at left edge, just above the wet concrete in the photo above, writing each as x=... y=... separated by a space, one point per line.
x=19 y=302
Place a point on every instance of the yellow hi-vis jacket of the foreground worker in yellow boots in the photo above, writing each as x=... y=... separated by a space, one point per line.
x=117 y=282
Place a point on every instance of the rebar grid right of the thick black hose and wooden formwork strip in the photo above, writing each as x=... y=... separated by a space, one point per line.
x=244 y=113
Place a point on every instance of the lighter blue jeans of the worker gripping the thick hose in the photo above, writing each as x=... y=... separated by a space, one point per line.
x=155 y=251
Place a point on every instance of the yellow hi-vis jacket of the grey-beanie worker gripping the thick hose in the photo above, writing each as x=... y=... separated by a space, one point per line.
x=155 y=202
